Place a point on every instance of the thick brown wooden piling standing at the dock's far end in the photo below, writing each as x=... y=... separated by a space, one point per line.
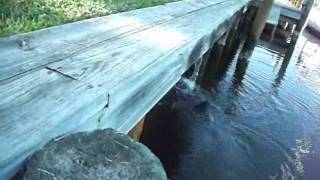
x=261 y=18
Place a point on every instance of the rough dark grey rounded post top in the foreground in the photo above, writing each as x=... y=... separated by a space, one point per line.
x=102 y=154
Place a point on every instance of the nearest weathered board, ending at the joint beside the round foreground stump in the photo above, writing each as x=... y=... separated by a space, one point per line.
x=38 y=107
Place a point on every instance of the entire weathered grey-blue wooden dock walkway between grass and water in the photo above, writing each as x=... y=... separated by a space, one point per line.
x=100 y=73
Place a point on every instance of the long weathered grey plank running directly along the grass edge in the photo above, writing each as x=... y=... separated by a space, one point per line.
x=23 y=53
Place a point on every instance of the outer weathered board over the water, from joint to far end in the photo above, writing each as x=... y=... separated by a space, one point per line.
x=124 y=66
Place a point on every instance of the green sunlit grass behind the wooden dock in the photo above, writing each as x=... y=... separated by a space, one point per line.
x=20 y=16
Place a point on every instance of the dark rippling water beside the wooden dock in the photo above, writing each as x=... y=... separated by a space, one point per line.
x=259 y=118
